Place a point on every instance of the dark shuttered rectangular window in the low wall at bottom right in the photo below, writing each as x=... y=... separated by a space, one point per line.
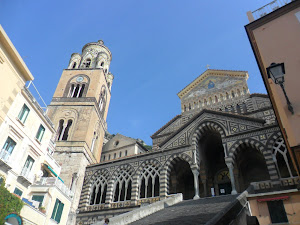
x=277 y=212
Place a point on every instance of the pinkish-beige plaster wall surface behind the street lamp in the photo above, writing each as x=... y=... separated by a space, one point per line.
x=278 y=41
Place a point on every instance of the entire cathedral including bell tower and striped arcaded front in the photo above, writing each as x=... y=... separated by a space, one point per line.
x=224 y=139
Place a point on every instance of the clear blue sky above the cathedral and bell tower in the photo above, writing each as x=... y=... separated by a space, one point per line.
x=158 y=47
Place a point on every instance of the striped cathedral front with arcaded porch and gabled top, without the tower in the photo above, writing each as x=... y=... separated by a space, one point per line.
x=224 y=140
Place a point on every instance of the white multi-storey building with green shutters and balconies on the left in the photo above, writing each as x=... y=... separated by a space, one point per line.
x=27 y=165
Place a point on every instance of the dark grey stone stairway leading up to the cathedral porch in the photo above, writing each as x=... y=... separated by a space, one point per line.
x=188 y=212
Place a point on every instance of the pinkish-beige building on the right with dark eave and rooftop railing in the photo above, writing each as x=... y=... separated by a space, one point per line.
x=267 y=34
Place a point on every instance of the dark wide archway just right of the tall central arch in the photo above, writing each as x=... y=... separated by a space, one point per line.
x=251 y=167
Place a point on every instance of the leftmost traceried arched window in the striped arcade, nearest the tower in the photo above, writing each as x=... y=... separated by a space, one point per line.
x=98 y=191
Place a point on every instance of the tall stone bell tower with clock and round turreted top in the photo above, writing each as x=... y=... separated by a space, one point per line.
x=78 y=110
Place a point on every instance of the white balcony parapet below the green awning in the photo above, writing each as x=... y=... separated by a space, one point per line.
x=54 y=182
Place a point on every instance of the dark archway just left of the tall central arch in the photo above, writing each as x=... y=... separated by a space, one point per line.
x=181 y=179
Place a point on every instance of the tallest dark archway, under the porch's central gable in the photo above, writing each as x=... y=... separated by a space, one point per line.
x=212 y=155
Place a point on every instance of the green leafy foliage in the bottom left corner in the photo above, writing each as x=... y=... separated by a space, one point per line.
x=8 y=203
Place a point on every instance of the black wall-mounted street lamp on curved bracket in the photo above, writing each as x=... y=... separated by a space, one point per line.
x=276 y=72
